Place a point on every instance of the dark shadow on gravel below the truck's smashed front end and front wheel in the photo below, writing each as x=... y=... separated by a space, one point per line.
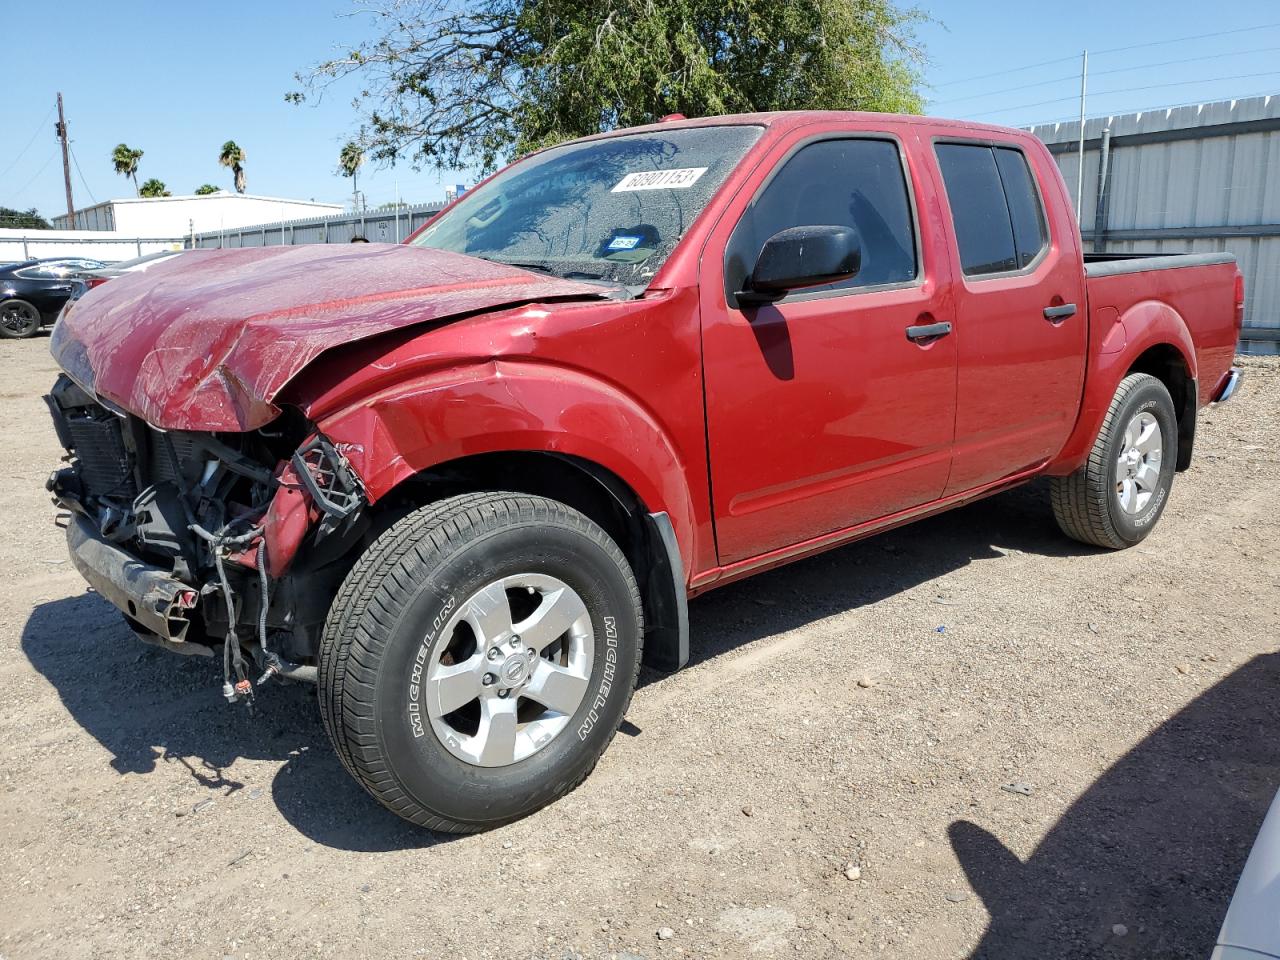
x=150 y=708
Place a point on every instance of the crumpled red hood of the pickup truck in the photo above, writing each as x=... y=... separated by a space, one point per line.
x=208 y=340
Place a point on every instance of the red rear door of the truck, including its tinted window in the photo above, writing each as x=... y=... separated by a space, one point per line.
x=1020 y=310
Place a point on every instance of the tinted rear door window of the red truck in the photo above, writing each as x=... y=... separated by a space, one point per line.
x=995 y=208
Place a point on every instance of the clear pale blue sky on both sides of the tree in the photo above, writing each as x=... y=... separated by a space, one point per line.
x=177 y=80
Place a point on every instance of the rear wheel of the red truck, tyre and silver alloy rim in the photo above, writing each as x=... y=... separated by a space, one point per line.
x=1118 y=496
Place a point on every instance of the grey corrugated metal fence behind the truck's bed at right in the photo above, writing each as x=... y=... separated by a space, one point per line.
x=1186 y=180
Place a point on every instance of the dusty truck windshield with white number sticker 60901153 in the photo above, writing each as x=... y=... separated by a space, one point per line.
x=605 y=211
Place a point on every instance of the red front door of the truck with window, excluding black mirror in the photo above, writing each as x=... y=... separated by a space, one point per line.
x=822 y=413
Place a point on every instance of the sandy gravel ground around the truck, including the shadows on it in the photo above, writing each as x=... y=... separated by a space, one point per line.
x=966 y=738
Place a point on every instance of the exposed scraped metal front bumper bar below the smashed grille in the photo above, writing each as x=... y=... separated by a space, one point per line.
x=147 y=595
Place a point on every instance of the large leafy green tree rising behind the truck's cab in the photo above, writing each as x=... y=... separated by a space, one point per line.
x=452 y=85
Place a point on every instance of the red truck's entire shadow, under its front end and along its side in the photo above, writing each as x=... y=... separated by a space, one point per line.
x=148 y=707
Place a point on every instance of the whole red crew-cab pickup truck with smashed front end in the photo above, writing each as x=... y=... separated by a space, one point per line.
x=463 y=482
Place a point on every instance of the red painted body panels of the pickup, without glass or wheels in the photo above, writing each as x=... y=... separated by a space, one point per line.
x=815 y=423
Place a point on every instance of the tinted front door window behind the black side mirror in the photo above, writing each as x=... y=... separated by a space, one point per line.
x=854 y=184
